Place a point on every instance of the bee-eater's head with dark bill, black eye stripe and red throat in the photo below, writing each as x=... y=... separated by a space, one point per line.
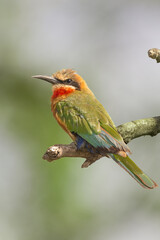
x=65 y=82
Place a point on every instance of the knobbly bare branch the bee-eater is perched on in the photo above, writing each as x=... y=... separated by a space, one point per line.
x=129 y=131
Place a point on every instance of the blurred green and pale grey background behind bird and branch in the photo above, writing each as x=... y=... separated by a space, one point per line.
x=107 y=43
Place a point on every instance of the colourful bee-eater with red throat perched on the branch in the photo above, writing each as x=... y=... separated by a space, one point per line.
x=83 y=117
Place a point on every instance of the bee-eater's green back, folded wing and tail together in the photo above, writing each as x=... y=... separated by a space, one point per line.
x=84 y=115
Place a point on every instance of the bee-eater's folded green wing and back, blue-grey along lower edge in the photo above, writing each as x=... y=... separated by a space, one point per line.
x=90 y=121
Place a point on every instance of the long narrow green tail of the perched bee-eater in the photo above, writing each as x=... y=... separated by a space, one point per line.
x=134 y=171
